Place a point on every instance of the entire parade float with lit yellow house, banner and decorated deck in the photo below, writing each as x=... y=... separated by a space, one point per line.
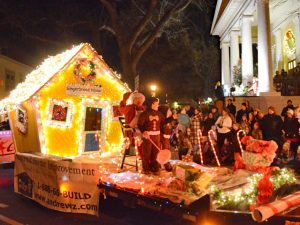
x=69 y=147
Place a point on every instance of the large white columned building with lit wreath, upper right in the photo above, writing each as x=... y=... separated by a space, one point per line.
x=274 y=25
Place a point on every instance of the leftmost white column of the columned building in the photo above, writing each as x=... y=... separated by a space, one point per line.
x=226 y=81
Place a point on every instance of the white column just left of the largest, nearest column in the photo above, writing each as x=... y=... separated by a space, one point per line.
x=247 y=53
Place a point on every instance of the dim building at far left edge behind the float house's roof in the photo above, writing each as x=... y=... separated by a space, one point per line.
x=11 y=73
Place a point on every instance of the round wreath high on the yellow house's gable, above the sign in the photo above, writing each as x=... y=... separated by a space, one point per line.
x=84 y=70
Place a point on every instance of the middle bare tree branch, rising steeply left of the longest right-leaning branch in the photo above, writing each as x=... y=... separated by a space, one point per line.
x=143 y=23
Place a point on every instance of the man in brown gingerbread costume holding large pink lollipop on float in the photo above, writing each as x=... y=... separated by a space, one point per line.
x=149 y=124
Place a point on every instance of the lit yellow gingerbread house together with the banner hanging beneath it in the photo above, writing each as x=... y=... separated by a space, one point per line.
x=64 y=109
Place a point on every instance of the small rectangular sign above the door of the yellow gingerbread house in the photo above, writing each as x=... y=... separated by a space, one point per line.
x=84 y=90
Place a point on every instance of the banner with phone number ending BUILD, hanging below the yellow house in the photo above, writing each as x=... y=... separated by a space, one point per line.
x=58 y=184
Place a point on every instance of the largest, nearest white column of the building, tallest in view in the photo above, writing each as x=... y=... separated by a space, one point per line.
x=265 y=78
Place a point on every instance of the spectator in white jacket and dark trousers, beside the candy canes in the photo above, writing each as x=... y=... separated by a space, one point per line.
x=224 y=125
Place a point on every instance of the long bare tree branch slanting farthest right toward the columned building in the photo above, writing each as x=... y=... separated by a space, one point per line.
x=179 y=6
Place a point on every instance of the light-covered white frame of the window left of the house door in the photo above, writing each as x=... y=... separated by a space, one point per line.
x=55 y=123
